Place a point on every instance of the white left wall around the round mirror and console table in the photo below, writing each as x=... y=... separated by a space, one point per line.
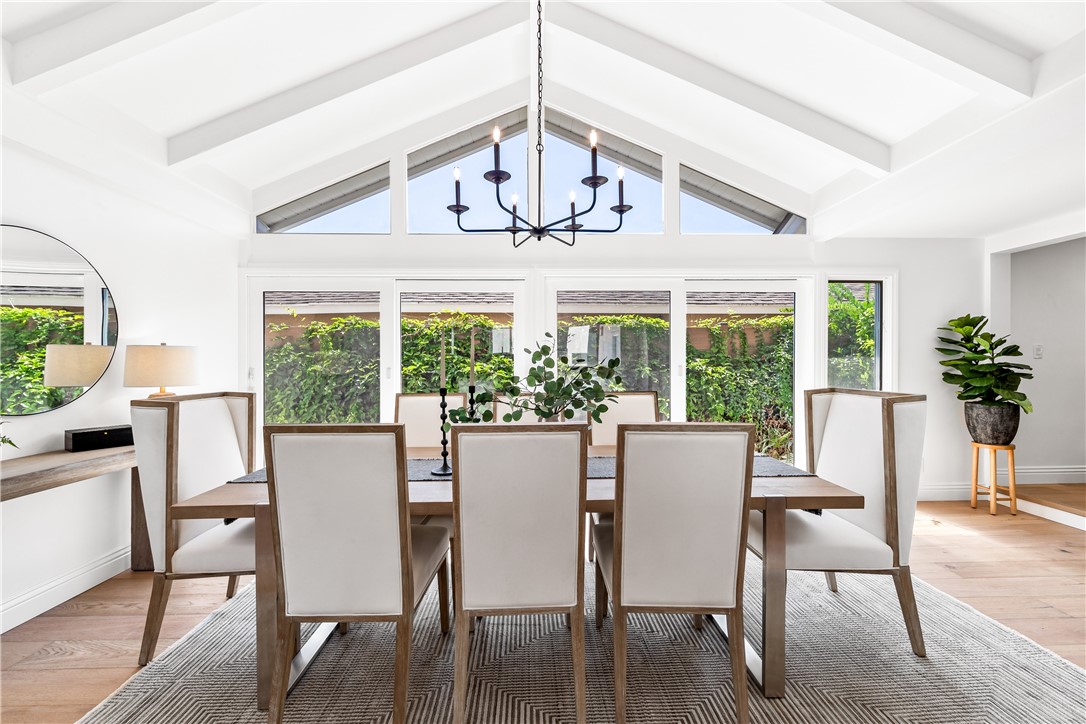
x=172 y=281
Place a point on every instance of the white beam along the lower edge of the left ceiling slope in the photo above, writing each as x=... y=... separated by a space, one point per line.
x=30 y=125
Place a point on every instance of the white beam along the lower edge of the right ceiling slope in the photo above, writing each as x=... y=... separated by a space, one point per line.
x=959 y=163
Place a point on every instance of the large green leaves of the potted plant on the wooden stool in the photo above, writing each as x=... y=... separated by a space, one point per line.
x=978 y=366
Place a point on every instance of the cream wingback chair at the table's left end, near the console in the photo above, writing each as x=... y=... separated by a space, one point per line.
x=185 y=446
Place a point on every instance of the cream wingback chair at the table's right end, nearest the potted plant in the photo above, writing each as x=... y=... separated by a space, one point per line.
x=872 y=443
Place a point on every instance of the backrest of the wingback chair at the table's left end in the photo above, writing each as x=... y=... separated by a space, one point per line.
x=185 y=446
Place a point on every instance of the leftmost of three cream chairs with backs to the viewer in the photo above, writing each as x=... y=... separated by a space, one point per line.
x=344 y=544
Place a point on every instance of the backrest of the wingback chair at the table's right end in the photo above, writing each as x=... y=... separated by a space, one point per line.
x=872 y=443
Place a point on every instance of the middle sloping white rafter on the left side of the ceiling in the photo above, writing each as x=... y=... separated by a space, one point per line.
x=335 y=85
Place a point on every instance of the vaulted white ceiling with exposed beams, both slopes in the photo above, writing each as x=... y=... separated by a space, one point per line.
x=872 y=119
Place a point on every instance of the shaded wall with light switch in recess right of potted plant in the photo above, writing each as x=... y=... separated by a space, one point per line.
x=1049 y=308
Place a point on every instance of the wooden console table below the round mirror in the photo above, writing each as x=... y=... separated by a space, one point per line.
x=34 y=474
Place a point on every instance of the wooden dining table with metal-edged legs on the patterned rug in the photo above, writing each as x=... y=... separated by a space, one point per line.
x=772 y=497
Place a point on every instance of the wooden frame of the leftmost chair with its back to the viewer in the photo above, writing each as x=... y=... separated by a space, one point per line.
x=288 y=626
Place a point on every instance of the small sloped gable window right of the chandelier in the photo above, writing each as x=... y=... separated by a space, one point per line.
x=708 y=206
